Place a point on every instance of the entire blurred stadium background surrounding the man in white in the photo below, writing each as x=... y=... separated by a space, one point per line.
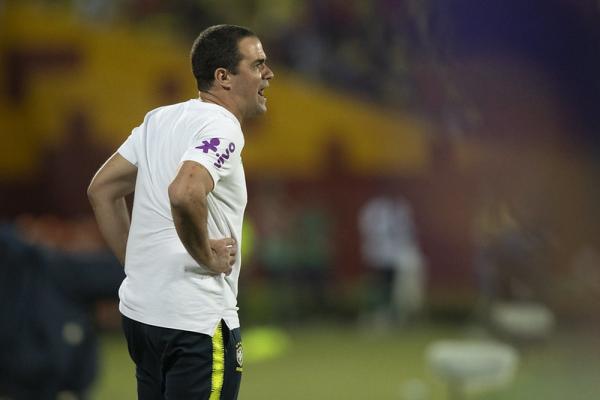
x=423 y=217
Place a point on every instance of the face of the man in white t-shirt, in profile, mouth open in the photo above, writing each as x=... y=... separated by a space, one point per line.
x=252 y=78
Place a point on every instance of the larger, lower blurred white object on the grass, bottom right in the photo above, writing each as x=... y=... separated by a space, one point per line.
x=472 y=366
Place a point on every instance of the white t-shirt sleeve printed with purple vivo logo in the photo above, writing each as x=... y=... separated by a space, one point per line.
x=217 y=147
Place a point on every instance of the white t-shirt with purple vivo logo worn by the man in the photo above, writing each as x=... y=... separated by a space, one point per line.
x=164 y=285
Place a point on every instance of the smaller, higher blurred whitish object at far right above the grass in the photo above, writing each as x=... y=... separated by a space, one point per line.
x=523 y=320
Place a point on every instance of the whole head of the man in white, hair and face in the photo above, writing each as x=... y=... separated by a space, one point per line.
x=229 y=63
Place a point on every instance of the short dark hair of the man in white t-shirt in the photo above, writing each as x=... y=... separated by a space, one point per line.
x=216 y=47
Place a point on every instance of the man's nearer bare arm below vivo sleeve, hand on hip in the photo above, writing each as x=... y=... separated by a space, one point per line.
x=187 y=194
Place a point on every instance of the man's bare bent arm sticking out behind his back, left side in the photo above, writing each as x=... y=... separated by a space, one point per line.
x=107 y=191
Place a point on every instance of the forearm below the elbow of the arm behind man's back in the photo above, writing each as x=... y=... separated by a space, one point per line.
x=113 y=221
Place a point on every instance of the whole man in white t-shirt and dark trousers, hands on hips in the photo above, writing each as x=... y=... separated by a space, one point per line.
x=178 y=299
